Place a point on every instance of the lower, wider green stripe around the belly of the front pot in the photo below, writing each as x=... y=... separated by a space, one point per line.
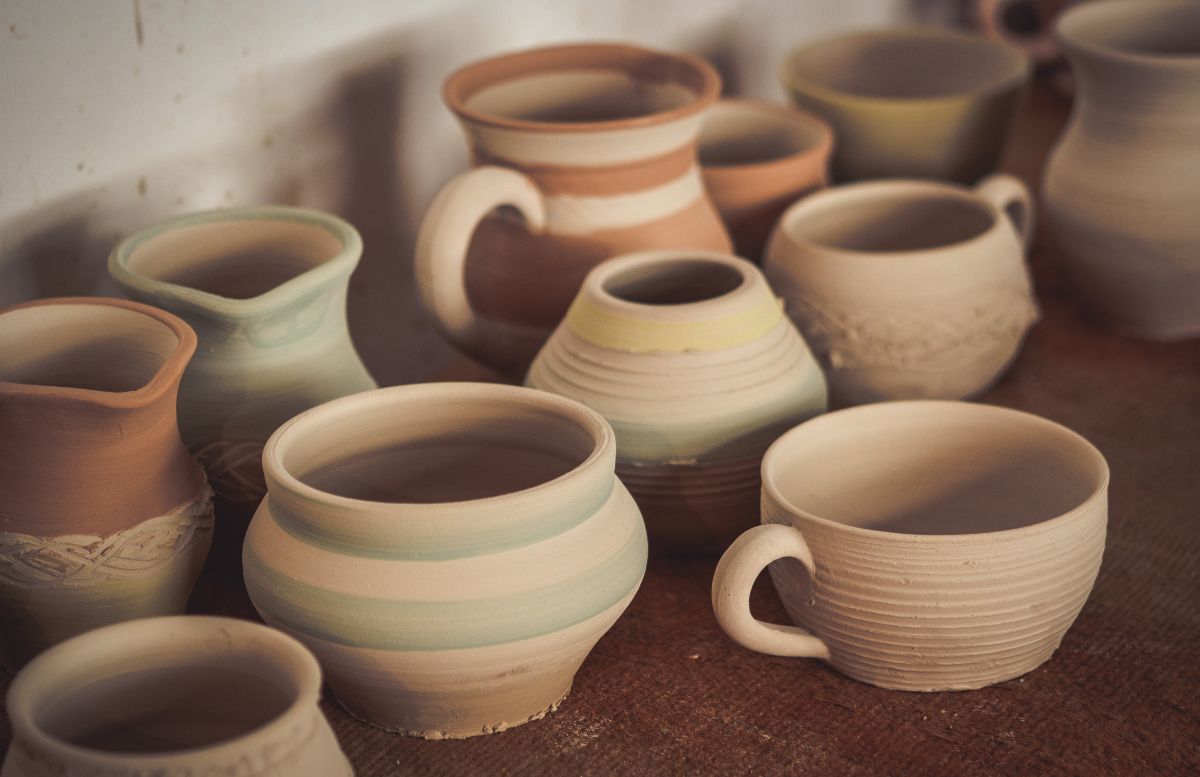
x=381 y=624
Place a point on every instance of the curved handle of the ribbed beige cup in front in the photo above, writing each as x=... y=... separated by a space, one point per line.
x=736 y=574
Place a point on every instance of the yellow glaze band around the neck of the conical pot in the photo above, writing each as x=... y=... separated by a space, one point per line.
x=616 y=330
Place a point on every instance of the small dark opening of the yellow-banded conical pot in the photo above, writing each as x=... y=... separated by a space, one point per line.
x=675 y=281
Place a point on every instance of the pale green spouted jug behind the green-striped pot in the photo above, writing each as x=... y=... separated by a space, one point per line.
x=265 y=288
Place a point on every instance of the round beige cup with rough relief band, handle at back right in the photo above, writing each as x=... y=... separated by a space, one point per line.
x=909 y=290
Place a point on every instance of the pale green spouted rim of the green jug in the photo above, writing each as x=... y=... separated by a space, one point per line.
x=274 y=299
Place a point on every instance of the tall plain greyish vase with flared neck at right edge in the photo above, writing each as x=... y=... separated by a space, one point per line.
x=1124 y=184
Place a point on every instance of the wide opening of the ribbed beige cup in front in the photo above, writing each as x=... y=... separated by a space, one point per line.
x=935 y=469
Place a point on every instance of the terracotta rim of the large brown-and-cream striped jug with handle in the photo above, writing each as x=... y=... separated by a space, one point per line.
x=467 y=81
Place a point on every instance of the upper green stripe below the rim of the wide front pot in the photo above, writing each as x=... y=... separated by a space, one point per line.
x=442 y=545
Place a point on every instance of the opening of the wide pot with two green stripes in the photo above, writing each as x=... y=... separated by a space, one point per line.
x=433 y=449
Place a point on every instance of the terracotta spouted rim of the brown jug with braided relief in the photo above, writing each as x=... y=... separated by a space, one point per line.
x=164 y=382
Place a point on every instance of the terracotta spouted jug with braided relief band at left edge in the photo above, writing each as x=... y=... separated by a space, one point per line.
x=104 y=515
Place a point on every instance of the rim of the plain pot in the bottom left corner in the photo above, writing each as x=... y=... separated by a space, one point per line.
x=112 y=643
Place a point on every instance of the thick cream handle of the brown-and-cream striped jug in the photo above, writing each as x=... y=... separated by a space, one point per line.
x=441 y=260
